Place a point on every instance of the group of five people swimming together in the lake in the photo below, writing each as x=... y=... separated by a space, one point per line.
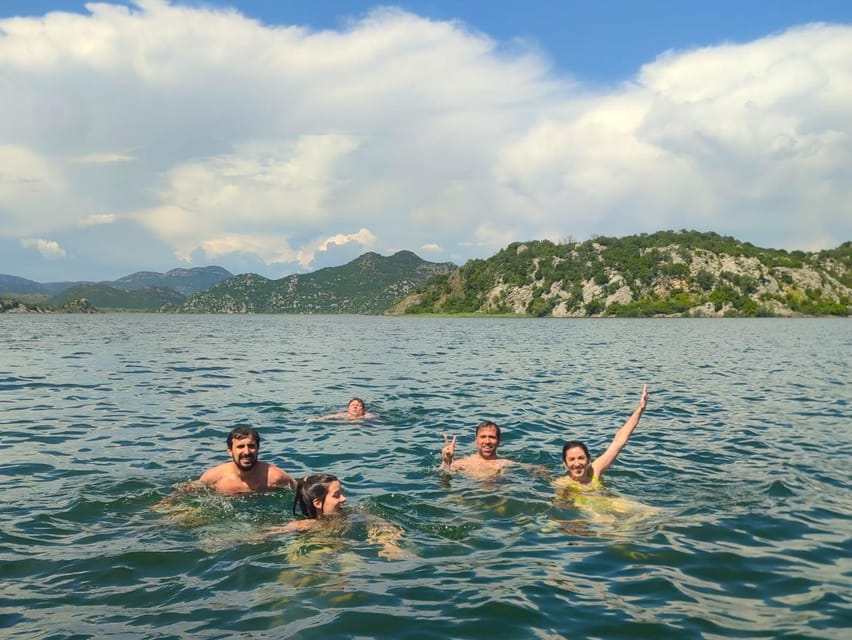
x=319 y=496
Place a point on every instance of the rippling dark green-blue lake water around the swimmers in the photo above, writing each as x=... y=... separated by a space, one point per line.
x=738 y=478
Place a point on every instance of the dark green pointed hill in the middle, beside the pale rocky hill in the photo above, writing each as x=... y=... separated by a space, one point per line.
x=367 y=285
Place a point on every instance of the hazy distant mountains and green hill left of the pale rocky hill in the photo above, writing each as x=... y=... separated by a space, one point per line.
x=369 y=284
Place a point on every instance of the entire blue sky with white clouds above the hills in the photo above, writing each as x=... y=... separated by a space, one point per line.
x=279 y=137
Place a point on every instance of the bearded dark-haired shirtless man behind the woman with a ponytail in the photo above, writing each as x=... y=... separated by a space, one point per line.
x=245 y=473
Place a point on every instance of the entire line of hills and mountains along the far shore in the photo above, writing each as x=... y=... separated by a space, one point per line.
x=668 y=273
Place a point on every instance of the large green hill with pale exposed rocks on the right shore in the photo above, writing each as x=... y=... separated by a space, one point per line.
x=662 y=274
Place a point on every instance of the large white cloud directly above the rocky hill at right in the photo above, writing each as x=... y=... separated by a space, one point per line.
x=741 y=139
